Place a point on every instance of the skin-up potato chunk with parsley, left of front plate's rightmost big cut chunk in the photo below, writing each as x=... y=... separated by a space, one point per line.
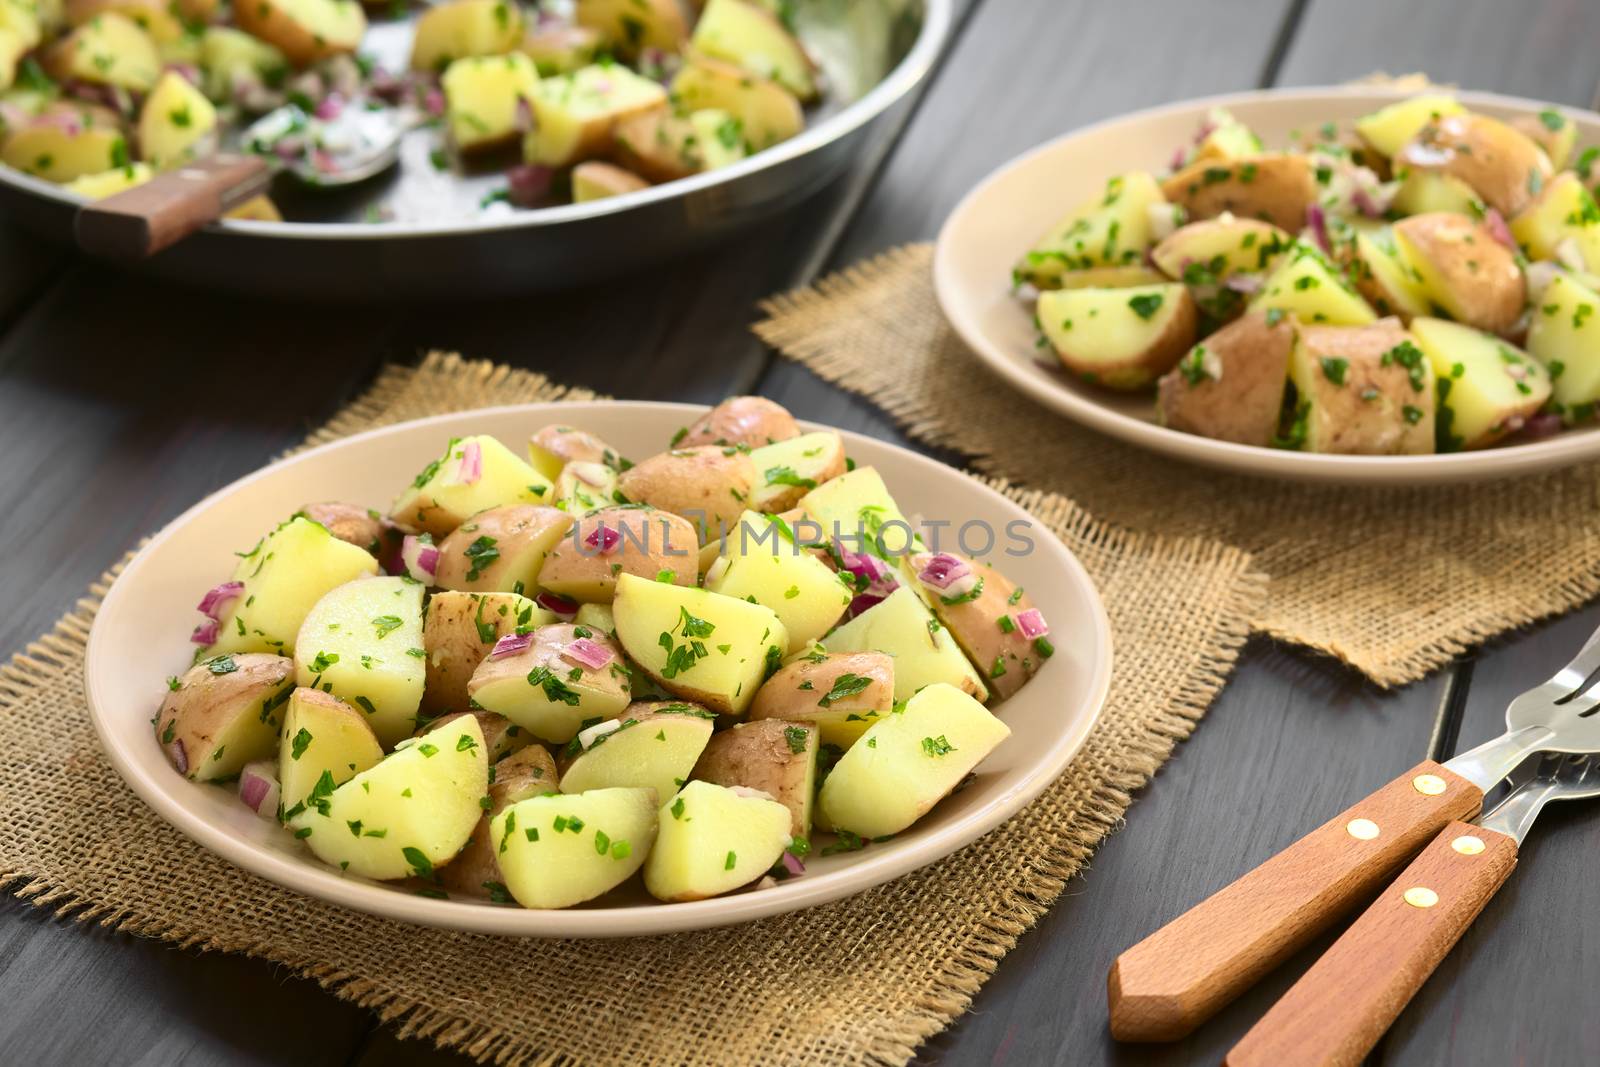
x=842 y=693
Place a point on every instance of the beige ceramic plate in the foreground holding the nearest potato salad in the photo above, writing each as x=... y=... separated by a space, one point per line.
x=143 y=629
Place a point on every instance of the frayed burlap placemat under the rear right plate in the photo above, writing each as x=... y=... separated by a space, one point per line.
x=1394 y=583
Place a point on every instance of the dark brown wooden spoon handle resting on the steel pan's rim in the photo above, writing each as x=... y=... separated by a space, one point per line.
x=145 y=220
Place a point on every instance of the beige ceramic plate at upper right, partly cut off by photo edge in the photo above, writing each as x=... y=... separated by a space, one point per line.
x=1007 y=214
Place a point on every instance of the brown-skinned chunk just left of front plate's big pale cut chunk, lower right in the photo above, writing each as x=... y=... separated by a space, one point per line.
x=774 y=757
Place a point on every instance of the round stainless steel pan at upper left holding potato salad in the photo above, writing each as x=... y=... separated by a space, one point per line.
x=873 y=52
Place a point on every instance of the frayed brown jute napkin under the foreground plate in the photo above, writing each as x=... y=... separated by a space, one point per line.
x=863 y=981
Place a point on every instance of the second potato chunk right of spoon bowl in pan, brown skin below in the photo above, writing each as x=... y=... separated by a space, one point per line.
x=577 y=114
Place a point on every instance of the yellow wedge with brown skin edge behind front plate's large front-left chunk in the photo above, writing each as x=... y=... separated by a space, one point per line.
x=322 y=737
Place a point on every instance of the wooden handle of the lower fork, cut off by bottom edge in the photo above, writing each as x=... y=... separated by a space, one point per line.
x=1338 y=1010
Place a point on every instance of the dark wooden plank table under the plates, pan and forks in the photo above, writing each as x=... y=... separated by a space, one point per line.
x=122 y=402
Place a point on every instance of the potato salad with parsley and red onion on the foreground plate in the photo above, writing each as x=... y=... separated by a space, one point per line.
x=542 y=673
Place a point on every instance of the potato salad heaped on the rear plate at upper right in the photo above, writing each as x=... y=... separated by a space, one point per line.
x=1423 y=281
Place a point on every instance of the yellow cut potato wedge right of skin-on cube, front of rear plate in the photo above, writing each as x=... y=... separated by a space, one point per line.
x=1486 y=386
